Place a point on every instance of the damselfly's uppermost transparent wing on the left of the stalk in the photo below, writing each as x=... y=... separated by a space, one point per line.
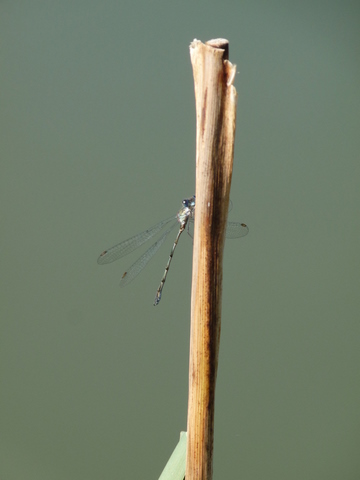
x=129 y=245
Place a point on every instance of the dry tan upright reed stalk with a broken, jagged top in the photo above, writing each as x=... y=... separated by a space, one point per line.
x=215 y=98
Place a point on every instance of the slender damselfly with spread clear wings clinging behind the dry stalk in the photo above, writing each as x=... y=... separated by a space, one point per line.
x=185 y=214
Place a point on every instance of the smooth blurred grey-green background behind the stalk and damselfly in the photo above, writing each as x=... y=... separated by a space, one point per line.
x=98 y=143
